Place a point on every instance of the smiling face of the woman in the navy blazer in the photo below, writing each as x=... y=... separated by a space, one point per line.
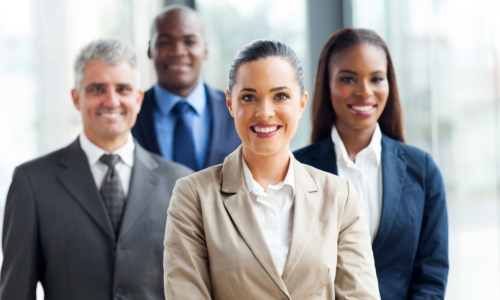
x=358 y=86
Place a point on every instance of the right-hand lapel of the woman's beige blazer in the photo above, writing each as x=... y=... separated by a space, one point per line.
x=305 y=207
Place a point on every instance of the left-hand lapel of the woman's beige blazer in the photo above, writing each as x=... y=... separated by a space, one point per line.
x=239 y=207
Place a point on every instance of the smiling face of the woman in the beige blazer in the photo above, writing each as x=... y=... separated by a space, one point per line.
x=266 y=103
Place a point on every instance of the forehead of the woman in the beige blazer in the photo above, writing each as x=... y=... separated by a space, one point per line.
x=267 y=73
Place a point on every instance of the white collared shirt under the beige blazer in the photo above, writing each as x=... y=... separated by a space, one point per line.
x=274 y=212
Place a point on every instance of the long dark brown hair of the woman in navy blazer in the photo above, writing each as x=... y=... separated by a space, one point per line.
x=323 y=115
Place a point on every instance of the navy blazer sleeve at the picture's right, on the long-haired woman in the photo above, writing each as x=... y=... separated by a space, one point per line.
x=430 y=271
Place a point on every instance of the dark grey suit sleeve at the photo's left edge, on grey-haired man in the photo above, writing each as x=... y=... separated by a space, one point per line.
x=21 y=266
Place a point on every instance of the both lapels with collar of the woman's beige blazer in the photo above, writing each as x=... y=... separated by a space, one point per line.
x=240 y=208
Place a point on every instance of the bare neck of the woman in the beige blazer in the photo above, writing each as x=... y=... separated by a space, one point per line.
x=267 y=169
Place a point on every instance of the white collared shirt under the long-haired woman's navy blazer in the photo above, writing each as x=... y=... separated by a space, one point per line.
x=365 y=174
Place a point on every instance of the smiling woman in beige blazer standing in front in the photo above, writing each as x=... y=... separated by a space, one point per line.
x=262 y=225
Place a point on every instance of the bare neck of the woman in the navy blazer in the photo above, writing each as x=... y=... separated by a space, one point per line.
x=355 y=140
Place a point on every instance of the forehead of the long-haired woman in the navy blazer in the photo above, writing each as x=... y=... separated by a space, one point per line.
x=361 y=57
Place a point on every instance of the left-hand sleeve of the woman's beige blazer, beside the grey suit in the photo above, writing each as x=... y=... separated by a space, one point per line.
x=186 y=256
